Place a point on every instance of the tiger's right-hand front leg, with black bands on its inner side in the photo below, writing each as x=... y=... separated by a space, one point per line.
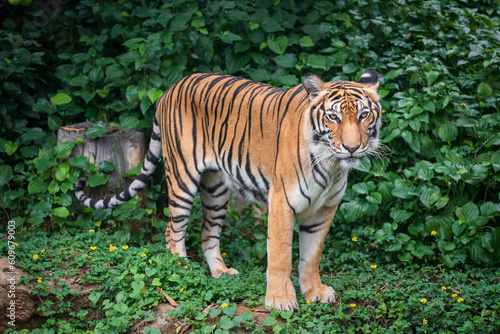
x=313 y=232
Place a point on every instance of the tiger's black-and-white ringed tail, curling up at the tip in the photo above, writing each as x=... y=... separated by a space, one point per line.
x=147 y=170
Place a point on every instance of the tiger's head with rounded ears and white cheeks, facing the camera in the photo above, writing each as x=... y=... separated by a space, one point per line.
x=345 y=117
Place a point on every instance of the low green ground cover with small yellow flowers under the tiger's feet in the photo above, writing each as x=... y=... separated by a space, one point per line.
x=374 y=296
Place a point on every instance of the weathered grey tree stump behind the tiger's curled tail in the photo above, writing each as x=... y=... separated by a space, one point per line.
x=124 y=148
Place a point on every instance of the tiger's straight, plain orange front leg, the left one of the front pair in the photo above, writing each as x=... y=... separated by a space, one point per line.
x=280 y=293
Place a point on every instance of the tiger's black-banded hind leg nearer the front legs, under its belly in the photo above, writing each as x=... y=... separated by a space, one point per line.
x=214 y=200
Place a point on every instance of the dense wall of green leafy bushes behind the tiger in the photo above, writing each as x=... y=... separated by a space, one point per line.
x=432 y=197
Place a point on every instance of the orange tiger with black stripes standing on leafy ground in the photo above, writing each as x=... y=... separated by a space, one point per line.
x=290 y=148
